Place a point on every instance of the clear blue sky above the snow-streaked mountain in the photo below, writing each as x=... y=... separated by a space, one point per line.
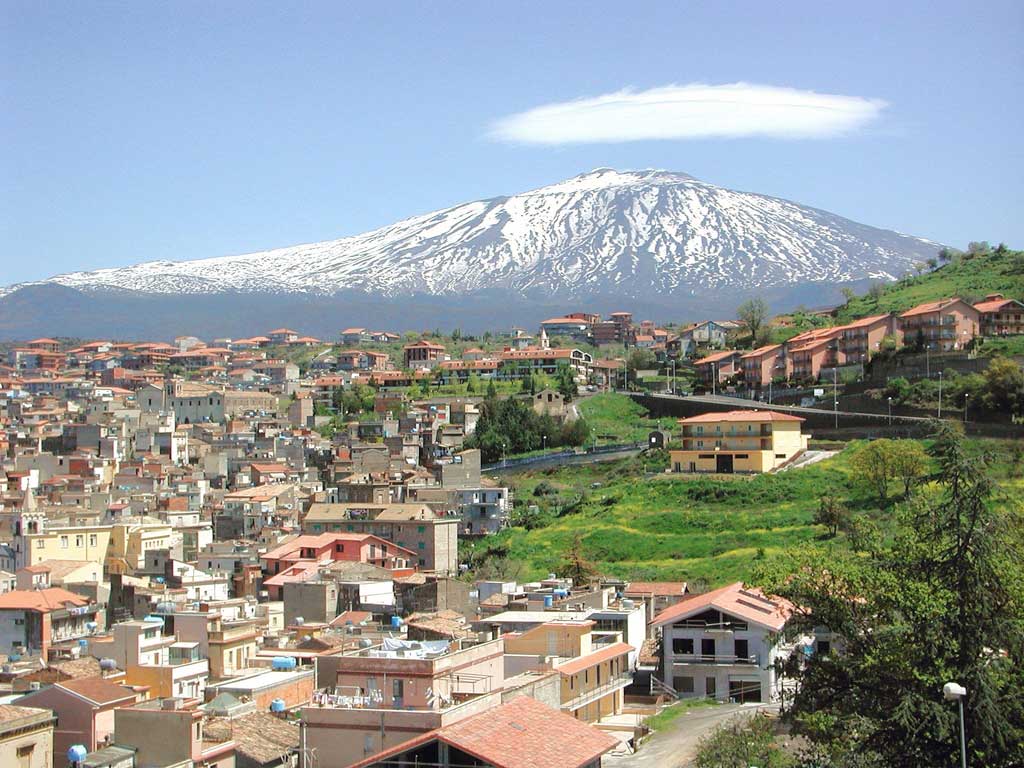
x=146 y=131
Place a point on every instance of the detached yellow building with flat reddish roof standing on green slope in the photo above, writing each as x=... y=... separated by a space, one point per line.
x=739 y=442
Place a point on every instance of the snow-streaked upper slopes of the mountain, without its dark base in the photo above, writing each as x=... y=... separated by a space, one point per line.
x=631 y=234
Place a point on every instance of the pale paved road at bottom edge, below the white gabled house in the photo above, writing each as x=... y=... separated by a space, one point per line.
x=676 y=746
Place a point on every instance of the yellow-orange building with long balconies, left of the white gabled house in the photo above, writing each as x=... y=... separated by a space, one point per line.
x=593 y=674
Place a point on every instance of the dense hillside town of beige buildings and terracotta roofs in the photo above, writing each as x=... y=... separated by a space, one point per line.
x=260 y=552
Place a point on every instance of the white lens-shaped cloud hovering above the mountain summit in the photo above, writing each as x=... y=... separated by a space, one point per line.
x=687 y=112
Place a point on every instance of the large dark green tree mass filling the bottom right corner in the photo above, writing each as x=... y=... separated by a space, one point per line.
x=941 y=600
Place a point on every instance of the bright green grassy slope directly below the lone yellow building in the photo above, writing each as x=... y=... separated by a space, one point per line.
x=634 y=522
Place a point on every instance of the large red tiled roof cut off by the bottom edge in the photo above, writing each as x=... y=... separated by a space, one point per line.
x=523 y=734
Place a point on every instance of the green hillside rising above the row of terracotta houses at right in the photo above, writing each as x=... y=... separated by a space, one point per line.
x=969 y=276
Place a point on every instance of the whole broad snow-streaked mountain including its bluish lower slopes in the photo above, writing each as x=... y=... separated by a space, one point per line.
x=648 y=241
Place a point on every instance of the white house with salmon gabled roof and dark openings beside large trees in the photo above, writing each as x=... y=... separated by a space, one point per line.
x=724 y=645
